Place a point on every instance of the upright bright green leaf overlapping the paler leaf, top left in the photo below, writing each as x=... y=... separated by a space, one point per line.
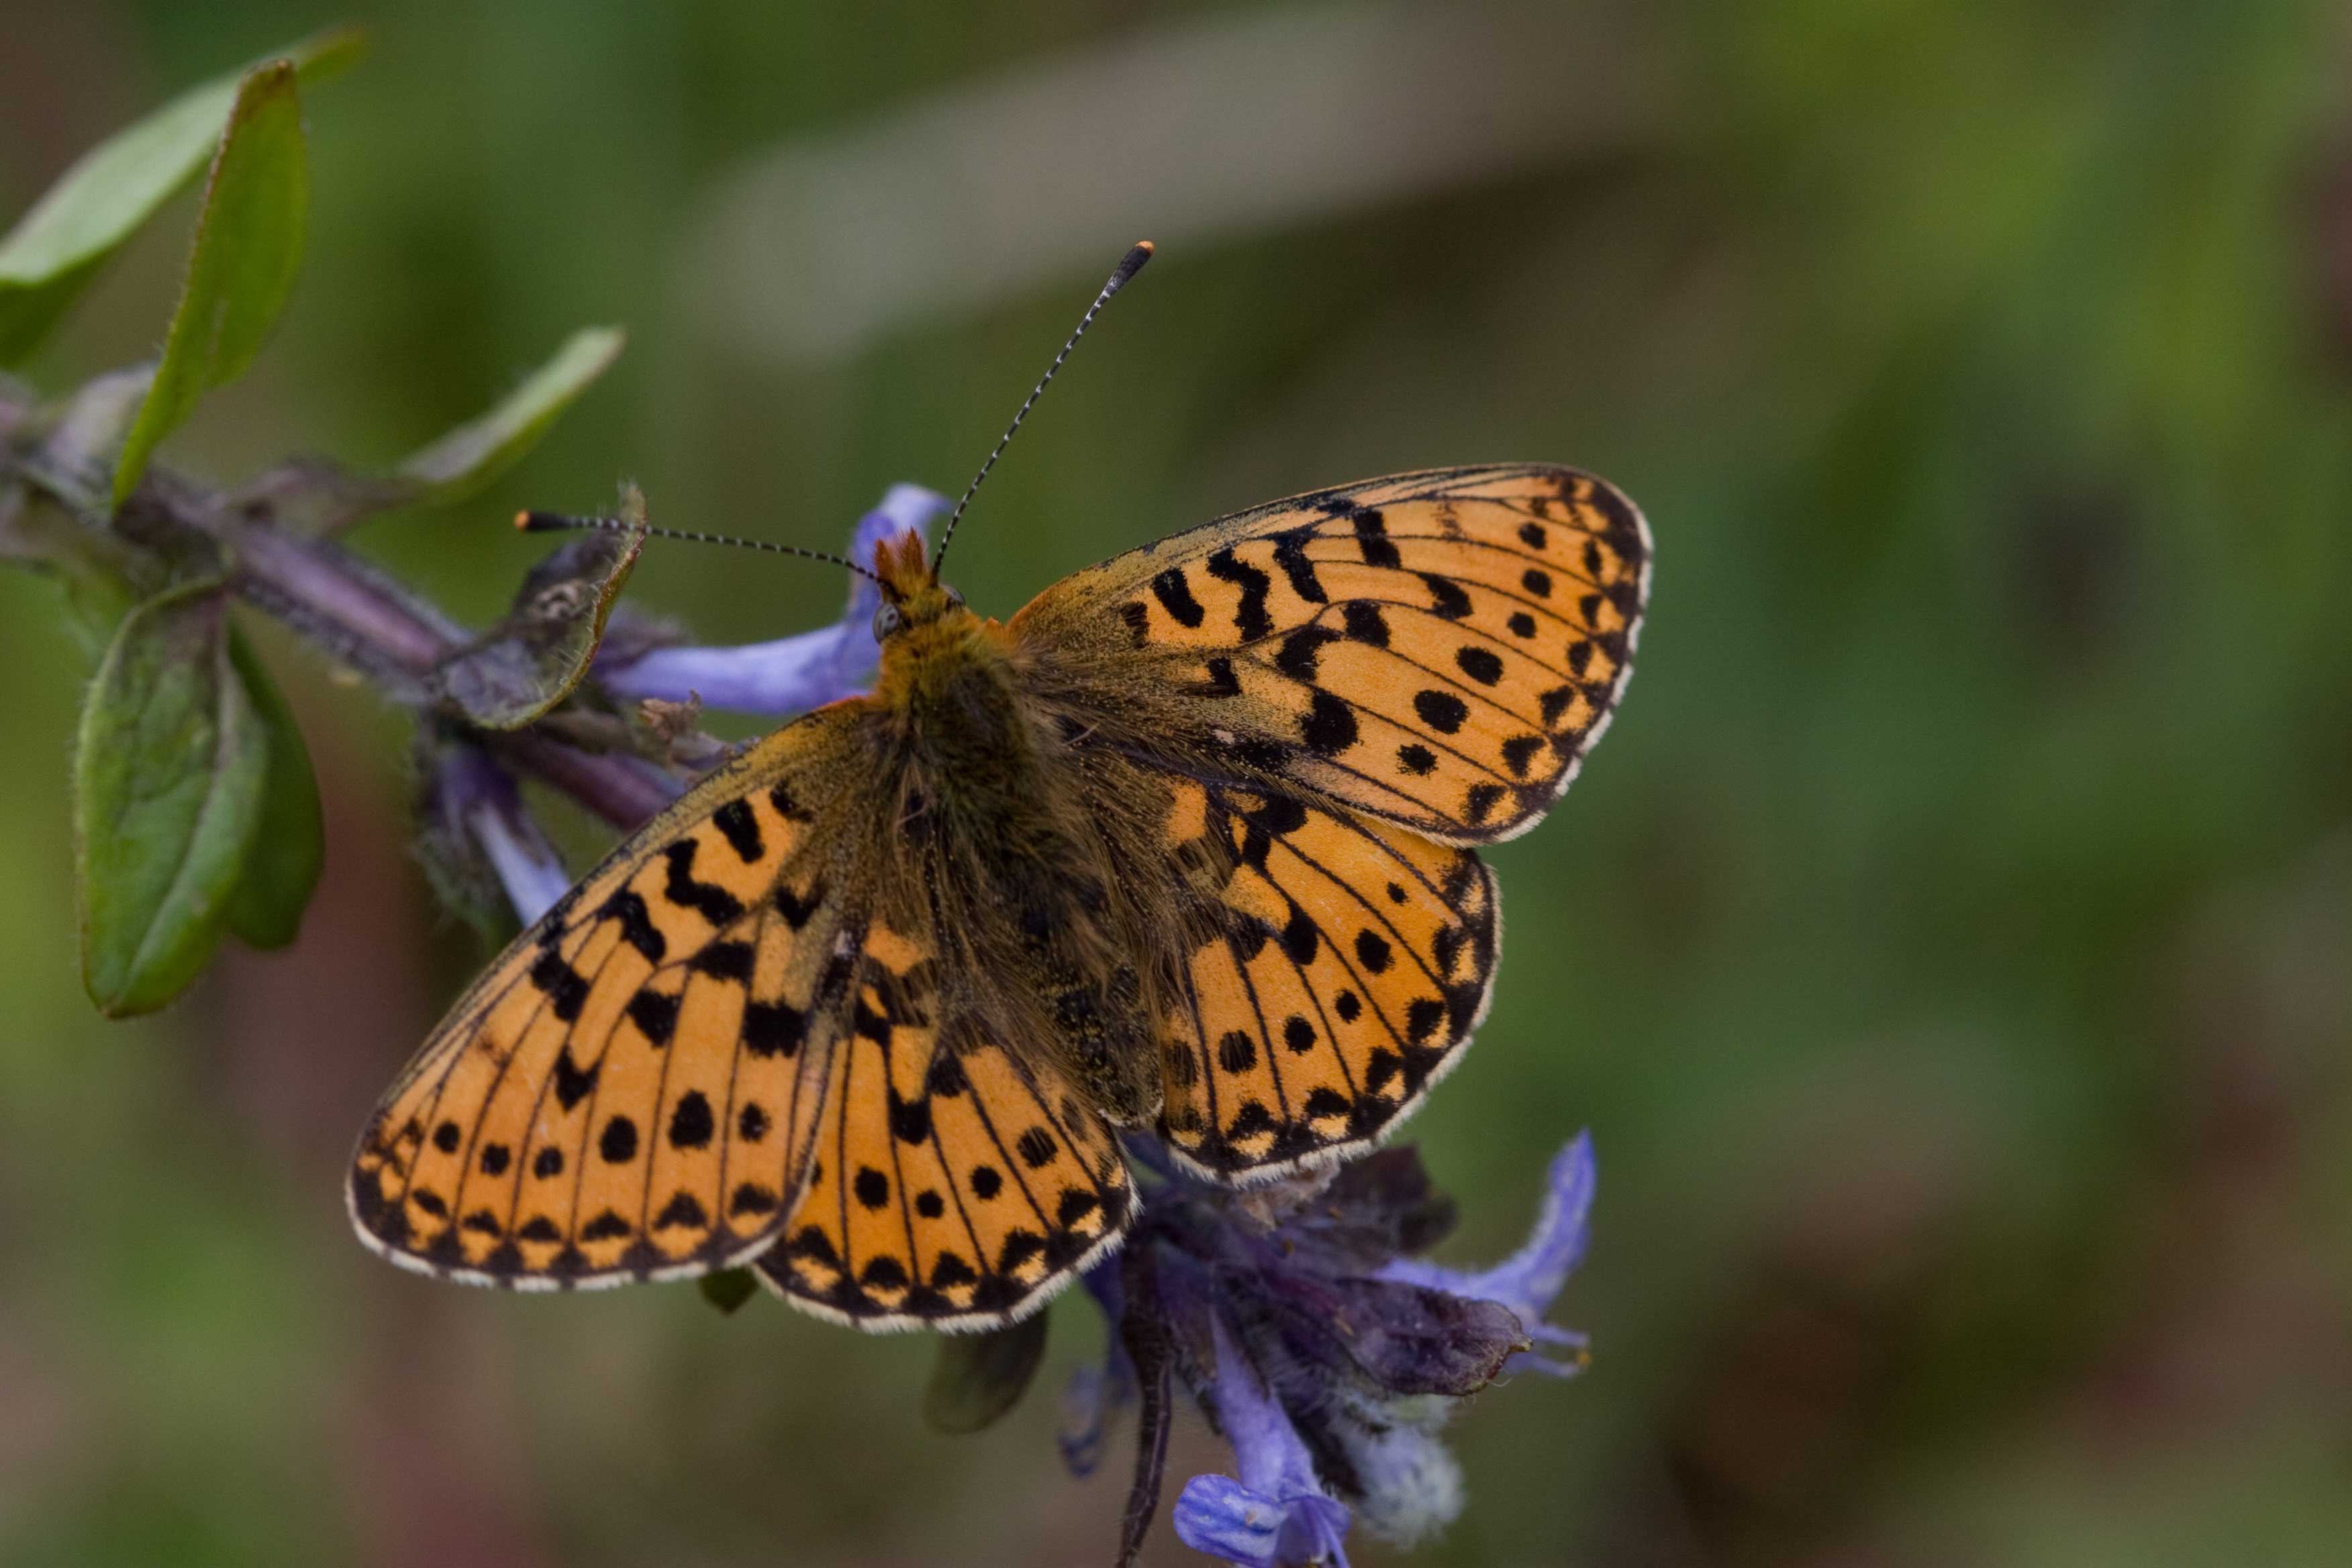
x=248 y=248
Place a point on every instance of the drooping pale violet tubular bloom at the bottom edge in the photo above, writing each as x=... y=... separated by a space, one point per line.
x=1278 y=1513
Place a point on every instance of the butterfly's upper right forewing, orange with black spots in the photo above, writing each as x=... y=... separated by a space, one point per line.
x=1438 y=650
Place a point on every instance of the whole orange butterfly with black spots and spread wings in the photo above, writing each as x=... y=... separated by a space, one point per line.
x=1187 y=847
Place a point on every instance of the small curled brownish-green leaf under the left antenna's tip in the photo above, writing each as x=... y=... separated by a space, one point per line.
x=540 y=655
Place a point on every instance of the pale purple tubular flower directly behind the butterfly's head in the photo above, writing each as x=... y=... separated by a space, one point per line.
x=791 y=674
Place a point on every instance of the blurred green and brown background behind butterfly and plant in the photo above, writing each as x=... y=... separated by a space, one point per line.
x=1951 y=949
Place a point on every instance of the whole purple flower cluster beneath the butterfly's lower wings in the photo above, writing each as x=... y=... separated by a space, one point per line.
x=1328 y=1355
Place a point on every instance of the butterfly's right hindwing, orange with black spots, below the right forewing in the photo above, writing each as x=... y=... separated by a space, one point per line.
x=1337 y=977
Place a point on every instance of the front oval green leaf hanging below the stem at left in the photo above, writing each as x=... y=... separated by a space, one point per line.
x=168 y=784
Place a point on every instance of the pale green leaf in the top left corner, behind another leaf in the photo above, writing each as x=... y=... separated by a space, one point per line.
x=60 y=246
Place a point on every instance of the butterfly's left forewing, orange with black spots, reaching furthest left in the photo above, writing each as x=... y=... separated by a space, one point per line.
x=634 y=1087
